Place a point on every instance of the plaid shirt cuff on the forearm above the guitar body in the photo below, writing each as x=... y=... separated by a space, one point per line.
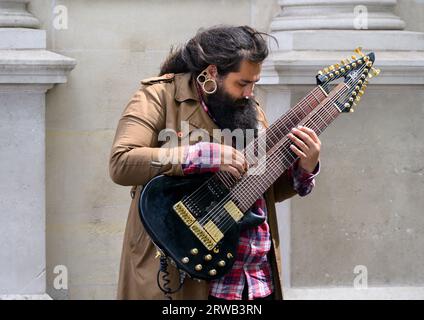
x=202 y=157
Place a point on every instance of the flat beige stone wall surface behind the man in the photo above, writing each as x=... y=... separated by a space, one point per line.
x=365 y=209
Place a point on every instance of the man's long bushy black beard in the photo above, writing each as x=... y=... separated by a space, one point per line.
x=230 y=113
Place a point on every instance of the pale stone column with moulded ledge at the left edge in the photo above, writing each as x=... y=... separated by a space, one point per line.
x=27 y=71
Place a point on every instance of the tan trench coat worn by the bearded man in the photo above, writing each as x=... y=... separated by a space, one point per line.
x=164 y=102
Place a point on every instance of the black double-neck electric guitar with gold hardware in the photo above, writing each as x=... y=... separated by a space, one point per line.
x=196 y=220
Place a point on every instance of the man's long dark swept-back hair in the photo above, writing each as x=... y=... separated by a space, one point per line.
x=223 y=46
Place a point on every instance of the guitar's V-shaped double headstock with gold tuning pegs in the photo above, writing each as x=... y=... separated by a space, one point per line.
x=356 y=73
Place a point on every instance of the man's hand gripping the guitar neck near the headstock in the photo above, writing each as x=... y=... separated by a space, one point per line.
x=306 y=146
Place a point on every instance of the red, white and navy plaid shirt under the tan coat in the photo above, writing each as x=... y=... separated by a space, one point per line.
x=251 y=264
